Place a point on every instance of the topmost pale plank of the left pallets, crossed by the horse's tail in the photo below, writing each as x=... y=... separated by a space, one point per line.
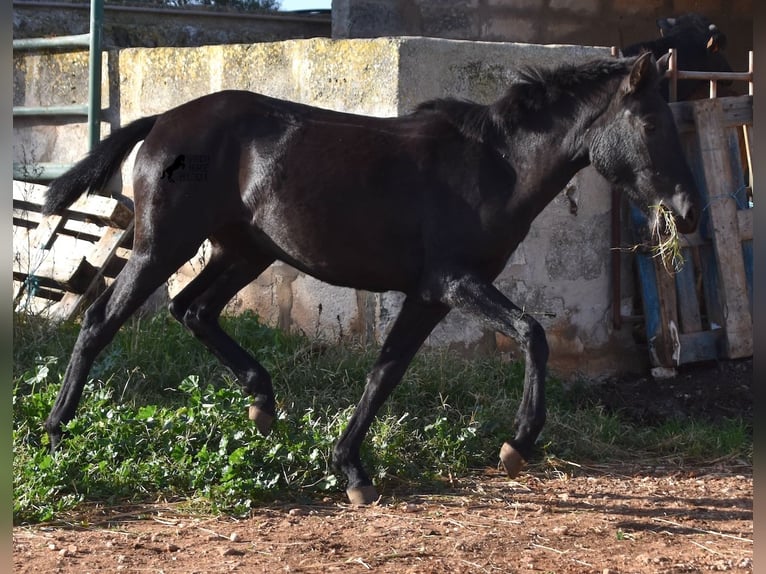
x=92 y=208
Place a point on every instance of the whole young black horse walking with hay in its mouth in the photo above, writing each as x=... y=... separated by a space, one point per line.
x=431 y=204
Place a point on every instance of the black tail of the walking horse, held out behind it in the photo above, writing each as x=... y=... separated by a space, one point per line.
x=94 y=171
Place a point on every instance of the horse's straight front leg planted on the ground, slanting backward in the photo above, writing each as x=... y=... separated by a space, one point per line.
x=415 y=321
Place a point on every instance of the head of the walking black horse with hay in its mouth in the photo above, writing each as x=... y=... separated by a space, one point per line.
x=635 y=145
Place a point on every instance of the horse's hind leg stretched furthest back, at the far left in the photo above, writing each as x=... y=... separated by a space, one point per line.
x=140 y=277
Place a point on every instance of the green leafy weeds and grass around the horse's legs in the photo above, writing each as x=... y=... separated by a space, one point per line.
x=162 y=419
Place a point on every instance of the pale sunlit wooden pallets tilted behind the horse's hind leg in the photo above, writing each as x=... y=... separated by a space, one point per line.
x=61 y=263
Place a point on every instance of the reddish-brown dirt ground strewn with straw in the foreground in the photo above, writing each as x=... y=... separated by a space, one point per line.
x=599 y=519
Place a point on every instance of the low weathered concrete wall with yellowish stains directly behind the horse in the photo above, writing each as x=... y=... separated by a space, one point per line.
x=561 y=271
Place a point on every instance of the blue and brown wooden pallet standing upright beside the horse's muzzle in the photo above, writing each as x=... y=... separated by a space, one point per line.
x=705 y=310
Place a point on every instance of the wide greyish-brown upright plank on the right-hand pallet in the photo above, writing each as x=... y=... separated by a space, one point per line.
x=722 y=210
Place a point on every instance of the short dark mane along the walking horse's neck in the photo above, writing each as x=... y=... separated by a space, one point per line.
x=534 y=90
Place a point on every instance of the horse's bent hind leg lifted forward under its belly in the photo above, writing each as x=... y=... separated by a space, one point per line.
x=199 y=305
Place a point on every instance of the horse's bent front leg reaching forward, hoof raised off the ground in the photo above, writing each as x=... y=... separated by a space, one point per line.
x=496 y=312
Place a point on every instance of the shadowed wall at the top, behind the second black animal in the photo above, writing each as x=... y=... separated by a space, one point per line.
x=584 y=22
